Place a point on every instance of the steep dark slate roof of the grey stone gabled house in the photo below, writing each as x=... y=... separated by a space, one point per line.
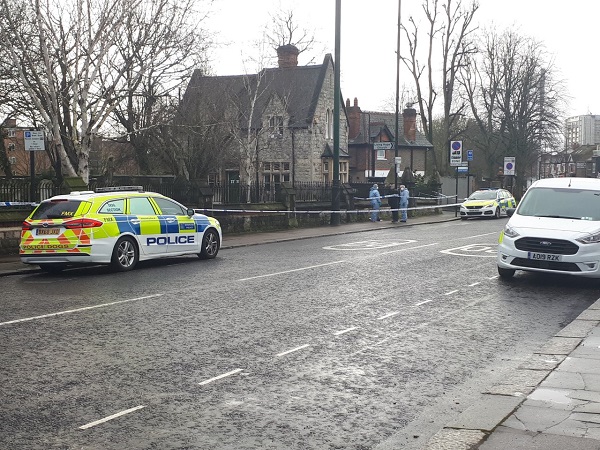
x=300 y=87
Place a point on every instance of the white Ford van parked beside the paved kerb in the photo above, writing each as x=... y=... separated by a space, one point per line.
x=555 y=229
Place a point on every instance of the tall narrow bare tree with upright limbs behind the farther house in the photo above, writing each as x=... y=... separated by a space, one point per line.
x=453 y=25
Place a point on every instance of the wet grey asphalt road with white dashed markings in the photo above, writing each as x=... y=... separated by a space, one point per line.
x=368 y=340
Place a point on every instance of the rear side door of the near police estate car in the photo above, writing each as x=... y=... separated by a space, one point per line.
x=151 y=235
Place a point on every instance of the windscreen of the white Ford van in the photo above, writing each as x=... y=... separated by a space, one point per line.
x=577 y=204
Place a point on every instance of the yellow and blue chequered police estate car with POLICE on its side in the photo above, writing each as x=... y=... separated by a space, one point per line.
x=118 y=226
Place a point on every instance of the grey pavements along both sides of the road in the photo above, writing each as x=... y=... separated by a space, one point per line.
x=551 y=402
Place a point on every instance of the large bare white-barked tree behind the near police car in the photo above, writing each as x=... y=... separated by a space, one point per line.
x=77 y=61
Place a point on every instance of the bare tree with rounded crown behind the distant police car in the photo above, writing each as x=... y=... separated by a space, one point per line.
x=515 y=101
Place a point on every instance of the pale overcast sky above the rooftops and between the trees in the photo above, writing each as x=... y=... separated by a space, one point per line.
x=569 y=30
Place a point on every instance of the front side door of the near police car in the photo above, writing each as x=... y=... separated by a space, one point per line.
x=181 y=228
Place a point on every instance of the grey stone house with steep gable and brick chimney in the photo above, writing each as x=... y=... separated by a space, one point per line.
x=280 y=121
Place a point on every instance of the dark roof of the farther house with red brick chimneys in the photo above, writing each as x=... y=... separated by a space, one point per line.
x=386 y=120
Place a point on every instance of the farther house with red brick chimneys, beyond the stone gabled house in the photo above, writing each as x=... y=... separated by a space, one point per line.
x=367 y=162
